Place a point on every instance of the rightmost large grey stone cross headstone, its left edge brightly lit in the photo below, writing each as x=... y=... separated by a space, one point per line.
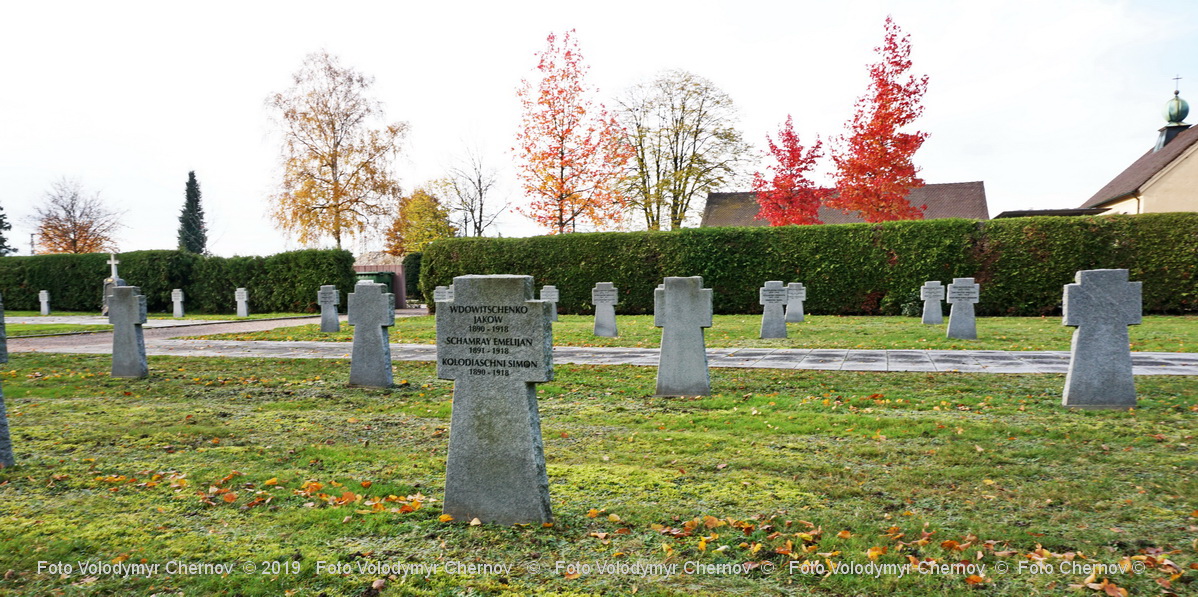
x=1102 y=305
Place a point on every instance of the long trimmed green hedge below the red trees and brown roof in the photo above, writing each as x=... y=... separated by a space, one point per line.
x=850 y=269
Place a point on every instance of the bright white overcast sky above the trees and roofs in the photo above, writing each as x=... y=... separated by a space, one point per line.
x=1043 y=100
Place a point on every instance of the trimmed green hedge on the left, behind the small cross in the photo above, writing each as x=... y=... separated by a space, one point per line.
x=286 y=282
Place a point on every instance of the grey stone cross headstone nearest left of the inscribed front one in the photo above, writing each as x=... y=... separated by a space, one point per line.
x=372 y=312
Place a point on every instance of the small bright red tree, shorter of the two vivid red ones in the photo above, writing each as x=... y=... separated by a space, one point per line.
x=790 y=197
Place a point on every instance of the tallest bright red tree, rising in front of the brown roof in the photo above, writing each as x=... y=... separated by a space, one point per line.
x=875 y=170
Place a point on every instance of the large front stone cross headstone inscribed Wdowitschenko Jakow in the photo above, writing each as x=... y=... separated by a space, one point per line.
x=497 y=343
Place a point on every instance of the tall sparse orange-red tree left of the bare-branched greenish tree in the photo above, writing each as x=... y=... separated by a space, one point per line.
x=568 y=149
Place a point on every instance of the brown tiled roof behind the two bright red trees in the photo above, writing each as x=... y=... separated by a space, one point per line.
x=945 y=201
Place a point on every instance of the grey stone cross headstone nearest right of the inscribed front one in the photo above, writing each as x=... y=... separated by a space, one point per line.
x=682 y=309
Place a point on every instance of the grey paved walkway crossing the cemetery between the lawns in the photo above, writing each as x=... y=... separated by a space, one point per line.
x=161 y=342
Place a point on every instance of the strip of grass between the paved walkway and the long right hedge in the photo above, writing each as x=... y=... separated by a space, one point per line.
x=1165 y=334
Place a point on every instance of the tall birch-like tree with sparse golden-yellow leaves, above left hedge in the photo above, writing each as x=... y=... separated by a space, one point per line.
x=337 y=178
